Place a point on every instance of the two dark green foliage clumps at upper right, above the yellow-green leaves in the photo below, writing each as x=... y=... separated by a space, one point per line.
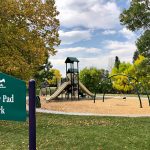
x=137 y=18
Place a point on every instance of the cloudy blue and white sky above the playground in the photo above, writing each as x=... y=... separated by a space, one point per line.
x=90 y=30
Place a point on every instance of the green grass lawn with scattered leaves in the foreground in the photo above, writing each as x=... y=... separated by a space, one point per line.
x=61 y=132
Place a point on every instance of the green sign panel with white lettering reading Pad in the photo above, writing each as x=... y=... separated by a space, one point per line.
x=12 y=98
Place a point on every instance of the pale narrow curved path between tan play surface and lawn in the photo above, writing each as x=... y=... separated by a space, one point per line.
x=89 y=114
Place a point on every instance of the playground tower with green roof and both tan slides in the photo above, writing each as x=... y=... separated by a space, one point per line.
x=72 y=87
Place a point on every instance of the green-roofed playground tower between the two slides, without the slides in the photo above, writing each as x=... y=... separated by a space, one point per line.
x=72 y=74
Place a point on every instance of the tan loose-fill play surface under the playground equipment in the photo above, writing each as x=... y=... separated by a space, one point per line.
x=111 y=105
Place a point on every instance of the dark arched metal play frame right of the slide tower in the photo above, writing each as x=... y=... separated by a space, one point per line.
x=129 y=80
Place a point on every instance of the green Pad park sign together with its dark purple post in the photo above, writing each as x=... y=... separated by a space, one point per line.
x=13 y=103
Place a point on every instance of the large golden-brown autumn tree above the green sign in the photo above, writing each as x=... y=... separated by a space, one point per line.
x=28 y=34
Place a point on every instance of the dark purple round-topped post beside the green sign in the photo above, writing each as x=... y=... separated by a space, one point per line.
x=32 y=118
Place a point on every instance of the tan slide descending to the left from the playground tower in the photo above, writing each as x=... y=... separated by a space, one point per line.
x=58 y=91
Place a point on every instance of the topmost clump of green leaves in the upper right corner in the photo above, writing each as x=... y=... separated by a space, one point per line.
x=137 y=16
